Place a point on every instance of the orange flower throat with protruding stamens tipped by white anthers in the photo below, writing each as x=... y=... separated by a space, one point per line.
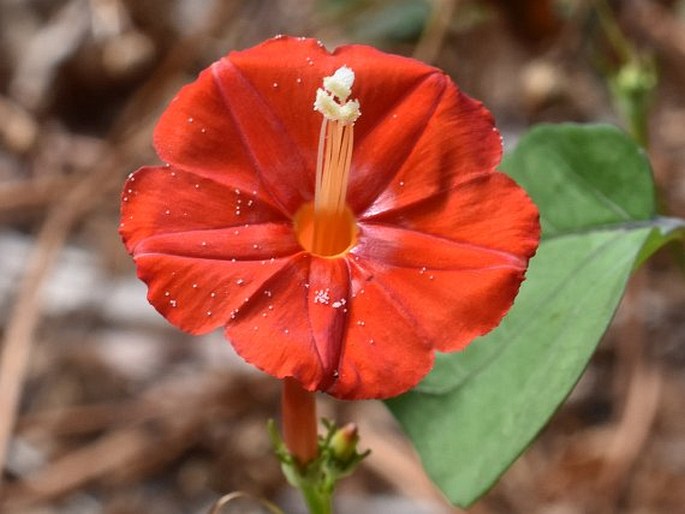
x=327 y=227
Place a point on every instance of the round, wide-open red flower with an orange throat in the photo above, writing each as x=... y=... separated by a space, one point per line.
x=425 y=252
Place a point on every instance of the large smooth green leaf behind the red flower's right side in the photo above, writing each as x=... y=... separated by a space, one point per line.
x=595 y=192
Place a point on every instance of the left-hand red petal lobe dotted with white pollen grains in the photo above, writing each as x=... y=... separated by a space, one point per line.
x=201 y=246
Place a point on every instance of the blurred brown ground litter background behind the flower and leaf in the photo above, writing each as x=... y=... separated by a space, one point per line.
x=104 y=408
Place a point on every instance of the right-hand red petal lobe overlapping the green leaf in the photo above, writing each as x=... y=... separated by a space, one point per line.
x=455 y=261
